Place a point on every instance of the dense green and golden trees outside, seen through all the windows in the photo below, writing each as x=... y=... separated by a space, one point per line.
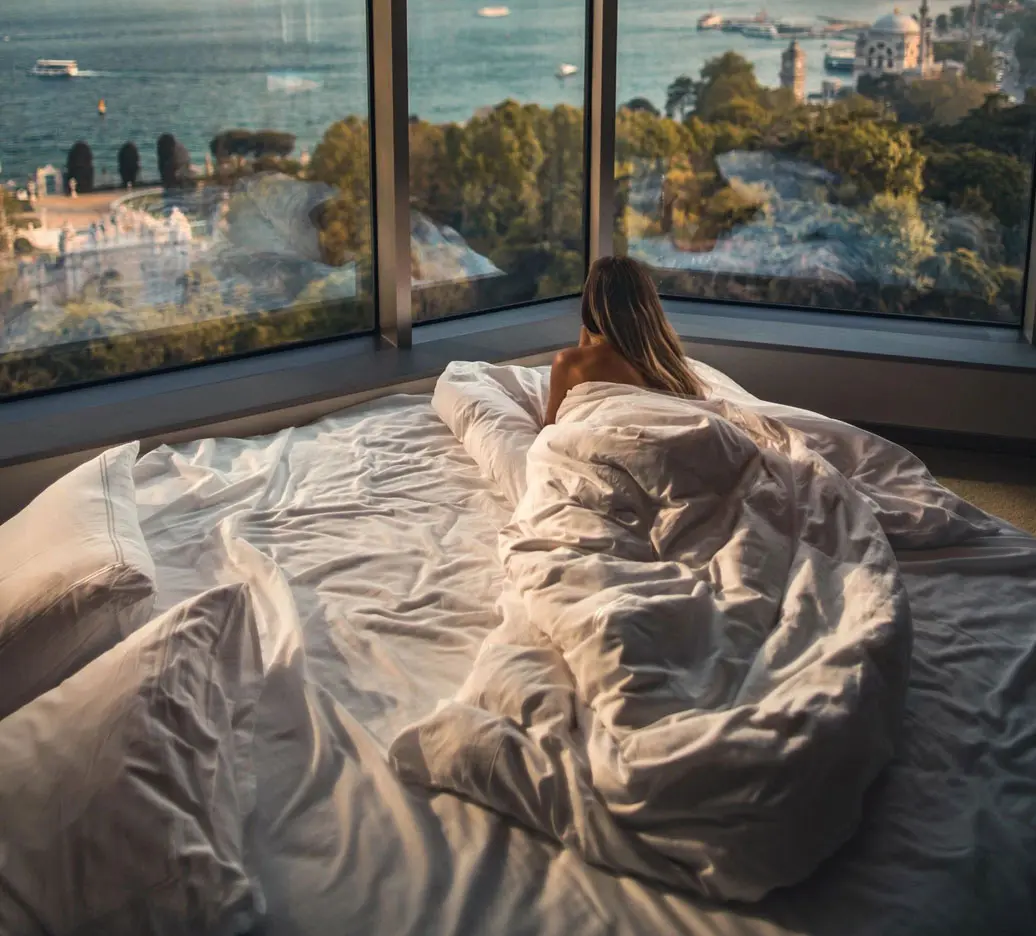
x=924 y=185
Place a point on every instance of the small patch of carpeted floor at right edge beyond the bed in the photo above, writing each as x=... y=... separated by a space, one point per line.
x=1004 y=486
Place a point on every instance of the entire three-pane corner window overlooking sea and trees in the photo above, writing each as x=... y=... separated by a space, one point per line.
x=189 y=181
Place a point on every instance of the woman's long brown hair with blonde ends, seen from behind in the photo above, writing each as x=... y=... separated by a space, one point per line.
x=621 y=304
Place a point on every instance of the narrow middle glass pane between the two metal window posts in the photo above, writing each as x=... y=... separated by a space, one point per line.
x=497 y=154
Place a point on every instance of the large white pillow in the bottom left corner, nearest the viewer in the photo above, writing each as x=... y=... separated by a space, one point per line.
x=124 y=792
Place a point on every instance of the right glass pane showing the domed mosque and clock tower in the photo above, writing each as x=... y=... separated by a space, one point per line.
x=829 y=156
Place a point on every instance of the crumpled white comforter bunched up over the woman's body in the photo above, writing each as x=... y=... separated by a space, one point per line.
x=704 y=646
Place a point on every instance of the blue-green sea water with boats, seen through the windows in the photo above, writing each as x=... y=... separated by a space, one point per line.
x=195 y=68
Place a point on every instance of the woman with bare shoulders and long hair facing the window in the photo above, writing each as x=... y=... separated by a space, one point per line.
x=625 y=338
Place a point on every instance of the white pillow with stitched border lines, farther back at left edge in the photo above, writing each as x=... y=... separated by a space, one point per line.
x=76 y=578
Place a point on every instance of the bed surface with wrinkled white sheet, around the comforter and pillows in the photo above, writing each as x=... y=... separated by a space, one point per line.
x=370 y=544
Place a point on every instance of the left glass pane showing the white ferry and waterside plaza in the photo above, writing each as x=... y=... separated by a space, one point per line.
x=182 y=183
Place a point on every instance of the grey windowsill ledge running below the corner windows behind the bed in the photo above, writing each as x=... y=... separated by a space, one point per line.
x=158 y=406
